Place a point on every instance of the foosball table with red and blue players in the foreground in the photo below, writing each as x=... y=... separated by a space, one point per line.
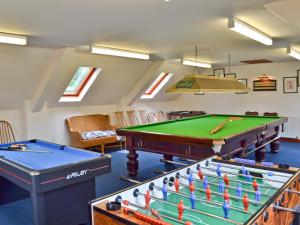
x=210 y=192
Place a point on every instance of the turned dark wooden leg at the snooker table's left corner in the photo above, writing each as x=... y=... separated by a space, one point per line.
x=132 y=163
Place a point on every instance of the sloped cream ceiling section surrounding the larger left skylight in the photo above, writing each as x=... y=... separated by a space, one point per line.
x=116 y=79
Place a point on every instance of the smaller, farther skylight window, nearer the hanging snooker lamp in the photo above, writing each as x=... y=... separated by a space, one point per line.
x=157 y=85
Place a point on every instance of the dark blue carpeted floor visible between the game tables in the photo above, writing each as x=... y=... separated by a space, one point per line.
x=19 y=213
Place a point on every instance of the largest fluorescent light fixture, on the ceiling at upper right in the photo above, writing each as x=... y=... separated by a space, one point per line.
x=249 y=31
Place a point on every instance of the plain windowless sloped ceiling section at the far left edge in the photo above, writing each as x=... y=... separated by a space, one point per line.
x=20 y=72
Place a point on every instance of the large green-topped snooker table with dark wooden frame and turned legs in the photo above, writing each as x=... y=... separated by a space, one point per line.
x=191 y=138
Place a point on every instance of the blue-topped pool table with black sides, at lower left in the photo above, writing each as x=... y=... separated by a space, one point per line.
x=60 y=180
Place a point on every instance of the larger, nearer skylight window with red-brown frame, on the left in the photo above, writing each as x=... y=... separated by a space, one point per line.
x=80 y=84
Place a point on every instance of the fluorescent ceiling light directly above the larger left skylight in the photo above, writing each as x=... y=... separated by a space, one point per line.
x=119 y=52
